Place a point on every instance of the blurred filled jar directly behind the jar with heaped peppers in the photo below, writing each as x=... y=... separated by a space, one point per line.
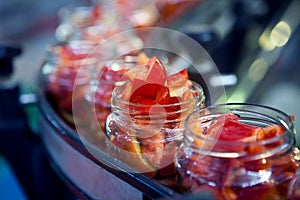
x=117 y=55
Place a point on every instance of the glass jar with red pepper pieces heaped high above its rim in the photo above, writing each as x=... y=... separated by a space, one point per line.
x=148 y=110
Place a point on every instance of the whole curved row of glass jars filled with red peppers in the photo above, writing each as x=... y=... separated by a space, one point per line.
x=161 y=135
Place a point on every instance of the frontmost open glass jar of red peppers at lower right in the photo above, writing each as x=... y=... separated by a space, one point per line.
x=238 y=151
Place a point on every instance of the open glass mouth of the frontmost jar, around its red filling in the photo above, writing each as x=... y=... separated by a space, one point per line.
x=254 y=114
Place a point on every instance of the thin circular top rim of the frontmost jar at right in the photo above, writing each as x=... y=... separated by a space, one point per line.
x=287 y=123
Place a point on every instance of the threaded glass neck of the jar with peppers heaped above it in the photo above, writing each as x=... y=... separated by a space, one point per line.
x=165 y=115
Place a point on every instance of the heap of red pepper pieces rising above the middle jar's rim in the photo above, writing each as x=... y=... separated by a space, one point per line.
x=153 y=88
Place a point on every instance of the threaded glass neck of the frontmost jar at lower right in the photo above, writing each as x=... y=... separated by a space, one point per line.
x=260 y=116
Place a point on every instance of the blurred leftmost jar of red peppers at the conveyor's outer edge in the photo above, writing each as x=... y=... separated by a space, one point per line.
x=71 y=64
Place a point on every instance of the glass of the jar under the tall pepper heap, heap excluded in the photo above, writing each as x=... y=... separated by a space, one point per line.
x=146 y=137
